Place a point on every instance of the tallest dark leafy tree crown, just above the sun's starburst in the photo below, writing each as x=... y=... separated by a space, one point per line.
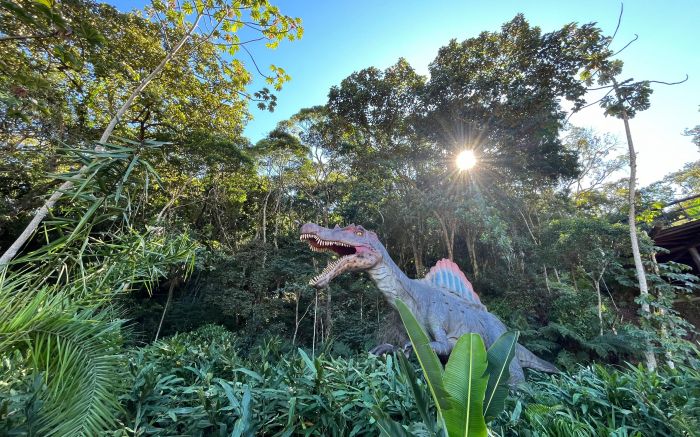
x=499 y=94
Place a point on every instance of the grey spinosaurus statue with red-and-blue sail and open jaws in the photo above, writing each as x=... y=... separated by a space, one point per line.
x=444 y=302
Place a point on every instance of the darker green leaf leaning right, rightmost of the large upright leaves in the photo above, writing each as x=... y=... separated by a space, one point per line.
x=499 y=357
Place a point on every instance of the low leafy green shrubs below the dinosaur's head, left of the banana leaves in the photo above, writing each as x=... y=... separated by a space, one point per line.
x=196 y=384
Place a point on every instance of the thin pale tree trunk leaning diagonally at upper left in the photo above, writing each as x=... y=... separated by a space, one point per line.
x=51 y=202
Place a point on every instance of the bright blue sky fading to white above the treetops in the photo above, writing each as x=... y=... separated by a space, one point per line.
x=343 y=37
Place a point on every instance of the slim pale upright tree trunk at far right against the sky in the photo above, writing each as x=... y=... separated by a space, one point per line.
x=632 y=218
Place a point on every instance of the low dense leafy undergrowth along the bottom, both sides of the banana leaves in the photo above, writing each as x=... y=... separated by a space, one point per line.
x=200 y=383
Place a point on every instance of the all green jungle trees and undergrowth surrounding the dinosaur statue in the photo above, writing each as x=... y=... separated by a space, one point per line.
x=152 y=281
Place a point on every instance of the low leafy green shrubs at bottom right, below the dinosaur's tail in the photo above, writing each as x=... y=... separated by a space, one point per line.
x=599 y=400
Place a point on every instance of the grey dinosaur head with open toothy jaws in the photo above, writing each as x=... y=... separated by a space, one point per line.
x=356 y=248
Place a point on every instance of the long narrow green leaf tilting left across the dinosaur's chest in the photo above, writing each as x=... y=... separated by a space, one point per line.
x=429 y=362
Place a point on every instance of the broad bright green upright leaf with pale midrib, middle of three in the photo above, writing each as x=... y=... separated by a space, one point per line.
x=465 y=381
